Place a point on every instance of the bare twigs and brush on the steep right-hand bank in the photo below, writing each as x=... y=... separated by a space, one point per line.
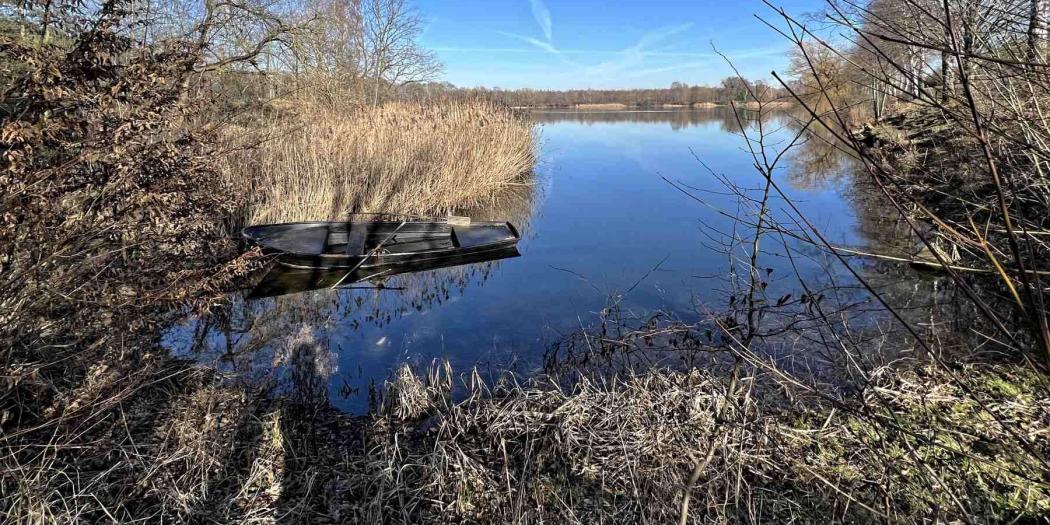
x=967 y=171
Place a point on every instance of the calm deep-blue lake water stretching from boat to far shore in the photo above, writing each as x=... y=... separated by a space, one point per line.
x=599 y=219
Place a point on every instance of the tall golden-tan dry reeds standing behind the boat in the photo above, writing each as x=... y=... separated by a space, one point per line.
x=319 y=164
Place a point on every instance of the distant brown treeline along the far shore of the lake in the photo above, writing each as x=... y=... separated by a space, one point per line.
x=730 y=90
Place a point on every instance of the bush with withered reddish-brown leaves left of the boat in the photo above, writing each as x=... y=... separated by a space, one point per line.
x=98 y=215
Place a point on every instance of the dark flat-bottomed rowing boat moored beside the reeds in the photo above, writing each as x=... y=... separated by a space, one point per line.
x=367 y=245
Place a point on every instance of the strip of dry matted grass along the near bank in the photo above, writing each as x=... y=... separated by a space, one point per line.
x=915 y=448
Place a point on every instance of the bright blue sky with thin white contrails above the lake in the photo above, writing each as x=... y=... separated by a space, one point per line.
x=561 y=45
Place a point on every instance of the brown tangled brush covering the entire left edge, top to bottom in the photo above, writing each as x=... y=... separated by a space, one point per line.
x=112 y=220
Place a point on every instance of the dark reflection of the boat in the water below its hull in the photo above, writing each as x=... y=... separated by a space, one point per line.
x=284 y=281
